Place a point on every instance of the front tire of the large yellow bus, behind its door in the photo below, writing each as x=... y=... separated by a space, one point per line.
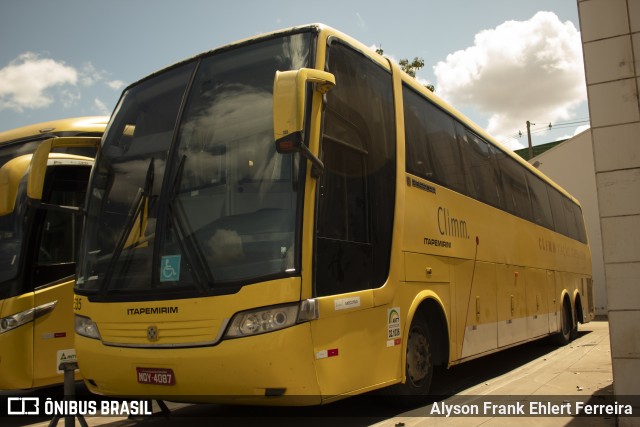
x=418 y=366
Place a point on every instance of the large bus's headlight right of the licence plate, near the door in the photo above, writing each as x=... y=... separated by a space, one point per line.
x=260 y=321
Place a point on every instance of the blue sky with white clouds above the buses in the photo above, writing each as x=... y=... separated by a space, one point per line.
x=501 y=62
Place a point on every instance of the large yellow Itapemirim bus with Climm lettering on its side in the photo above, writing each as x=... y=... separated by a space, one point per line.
x=291 y=216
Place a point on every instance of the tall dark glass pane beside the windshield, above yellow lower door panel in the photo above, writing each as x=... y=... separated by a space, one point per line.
x=355 y=198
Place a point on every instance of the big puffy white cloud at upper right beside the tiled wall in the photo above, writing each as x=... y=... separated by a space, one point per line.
x=518 y=71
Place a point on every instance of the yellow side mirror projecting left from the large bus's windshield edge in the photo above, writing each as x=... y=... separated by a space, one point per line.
x=38 y=168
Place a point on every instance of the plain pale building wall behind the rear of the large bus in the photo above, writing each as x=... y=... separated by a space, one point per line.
x=580 y=181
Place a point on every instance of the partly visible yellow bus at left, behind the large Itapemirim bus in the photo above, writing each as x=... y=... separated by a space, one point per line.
x=39 y=239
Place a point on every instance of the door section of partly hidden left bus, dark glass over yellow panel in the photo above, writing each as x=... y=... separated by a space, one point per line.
x=54 y=246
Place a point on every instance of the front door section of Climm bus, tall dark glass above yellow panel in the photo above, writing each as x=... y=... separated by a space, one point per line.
x=354 y=226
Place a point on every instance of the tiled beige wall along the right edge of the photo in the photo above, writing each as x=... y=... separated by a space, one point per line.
x=611 y=45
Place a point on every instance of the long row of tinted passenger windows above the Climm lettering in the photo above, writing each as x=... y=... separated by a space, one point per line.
x=478 y=169
